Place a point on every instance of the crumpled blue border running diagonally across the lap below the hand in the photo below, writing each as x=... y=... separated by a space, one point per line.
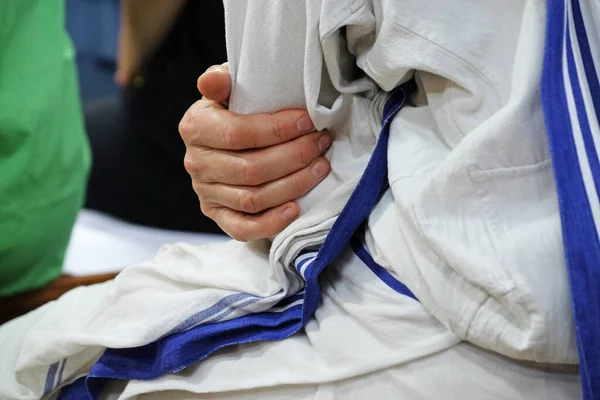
x=182 y=349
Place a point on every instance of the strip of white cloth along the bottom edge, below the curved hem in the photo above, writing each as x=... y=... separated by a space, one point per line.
x=460 y=372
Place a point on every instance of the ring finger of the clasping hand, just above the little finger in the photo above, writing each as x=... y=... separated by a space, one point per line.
x=255 y=199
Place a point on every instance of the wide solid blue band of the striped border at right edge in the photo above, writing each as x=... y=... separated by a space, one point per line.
x=579 y=232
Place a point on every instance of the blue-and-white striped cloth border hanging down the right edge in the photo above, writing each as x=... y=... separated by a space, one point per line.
x=571 y=100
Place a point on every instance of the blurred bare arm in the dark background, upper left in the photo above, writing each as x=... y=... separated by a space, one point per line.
x=144 y=24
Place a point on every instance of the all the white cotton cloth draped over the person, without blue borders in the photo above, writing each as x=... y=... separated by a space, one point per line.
x=470 y=223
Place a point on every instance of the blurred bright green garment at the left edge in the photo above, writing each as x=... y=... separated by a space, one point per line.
x=44 y=153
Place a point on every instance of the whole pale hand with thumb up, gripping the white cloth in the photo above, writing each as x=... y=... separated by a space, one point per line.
x=248 y=170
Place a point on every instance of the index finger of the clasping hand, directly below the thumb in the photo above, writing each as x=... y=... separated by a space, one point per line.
x=205 y=124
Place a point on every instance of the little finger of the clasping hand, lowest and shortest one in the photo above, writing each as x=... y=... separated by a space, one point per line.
x=247 y=227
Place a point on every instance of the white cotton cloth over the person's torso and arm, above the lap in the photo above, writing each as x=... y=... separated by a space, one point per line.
x=471 y=225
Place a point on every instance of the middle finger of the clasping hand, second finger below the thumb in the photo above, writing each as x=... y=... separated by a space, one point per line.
x=255 y=167
